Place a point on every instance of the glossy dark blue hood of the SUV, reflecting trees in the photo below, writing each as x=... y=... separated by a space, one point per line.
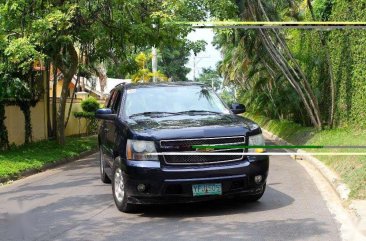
x=191 y=126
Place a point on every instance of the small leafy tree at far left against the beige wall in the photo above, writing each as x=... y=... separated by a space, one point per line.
x=19 y=82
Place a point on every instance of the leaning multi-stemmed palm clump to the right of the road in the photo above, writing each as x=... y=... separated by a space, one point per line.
x=276 y=57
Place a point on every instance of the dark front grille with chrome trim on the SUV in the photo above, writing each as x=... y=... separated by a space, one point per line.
x=185 y=145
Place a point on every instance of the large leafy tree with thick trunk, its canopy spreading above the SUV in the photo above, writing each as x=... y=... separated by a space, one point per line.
x=107 y=31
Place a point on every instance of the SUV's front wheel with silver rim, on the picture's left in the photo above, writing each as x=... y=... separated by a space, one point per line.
x=120 y=195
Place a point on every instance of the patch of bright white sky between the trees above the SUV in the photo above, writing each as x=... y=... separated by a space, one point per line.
x=204 y=59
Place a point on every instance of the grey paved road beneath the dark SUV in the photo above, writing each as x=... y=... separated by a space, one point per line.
x=70 y=203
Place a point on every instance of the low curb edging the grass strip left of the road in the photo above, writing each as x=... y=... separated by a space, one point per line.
x=46 y=167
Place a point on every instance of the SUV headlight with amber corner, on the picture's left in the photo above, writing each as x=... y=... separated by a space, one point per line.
x=139 y=150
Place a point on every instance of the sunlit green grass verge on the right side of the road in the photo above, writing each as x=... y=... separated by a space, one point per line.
x=352 y=169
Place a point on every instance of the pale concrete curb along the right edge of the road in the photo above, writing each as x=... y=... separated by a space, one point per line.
x=357 y=207
